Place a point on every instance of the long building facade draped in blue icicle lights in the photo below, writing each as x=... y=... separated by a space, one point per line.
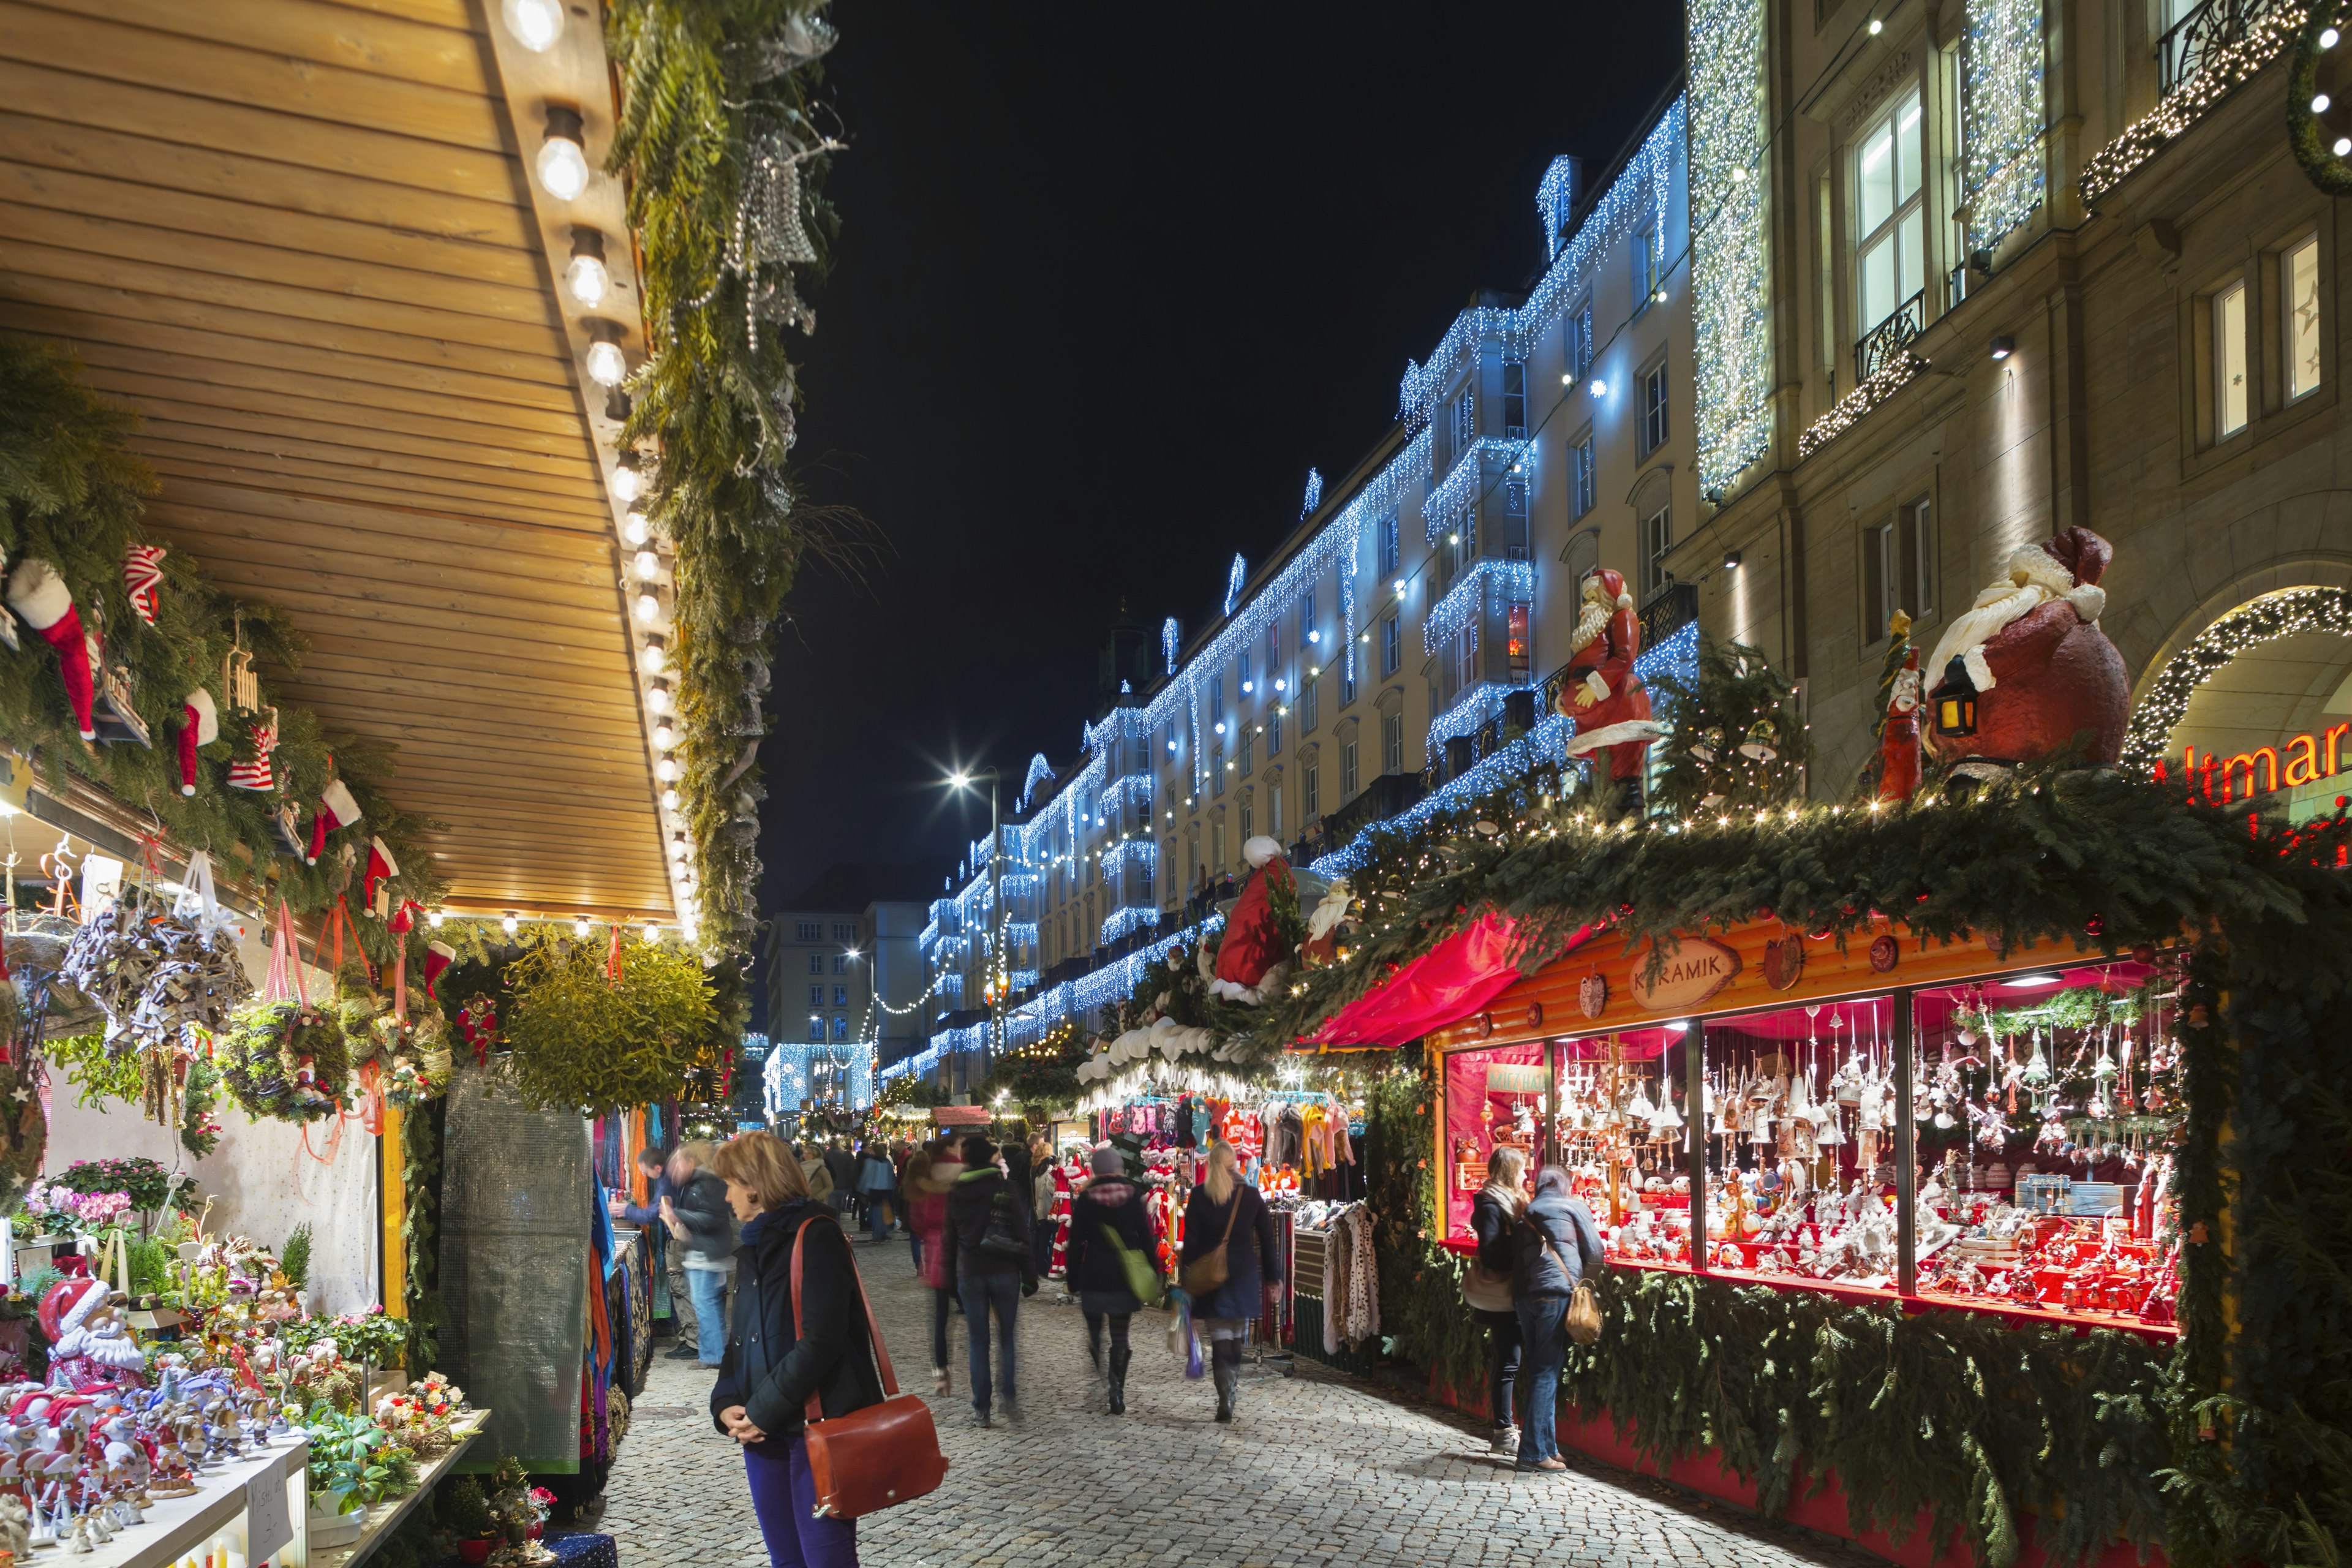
x=1401 y=648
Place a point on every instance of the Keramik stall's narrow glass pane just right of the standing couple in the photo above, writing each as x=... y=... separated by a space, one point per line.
x=1622 y=1137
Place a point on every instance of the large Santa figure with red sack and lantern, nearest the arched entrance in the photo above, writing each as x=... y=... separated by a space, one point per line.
x=2029 y=671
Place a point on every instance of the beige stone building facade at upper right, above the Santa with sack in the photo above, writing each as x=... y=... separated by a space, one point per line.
x=1975 y=274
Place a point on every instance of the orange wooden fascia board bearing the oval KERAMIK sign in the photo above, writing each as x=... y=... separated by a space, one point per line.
x=1551 y=1005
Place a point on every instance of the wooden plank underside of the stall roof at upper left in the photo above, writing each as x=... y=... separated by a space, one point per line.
x=300 y=239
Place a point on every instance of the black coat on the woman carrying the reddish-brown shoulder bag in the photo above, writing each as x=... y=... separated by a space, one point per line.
x=773 y=1360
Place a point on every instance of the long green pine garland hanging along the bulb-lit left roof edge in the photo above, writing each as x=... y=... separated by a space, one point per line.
x=700 y=112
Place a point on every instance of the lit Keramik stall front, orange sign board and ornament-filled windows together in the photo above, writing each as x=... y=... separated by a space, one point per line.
x=1880 y=1118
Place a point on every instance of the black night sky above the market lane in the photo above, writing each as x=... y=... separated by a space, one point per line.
x=1109 y=281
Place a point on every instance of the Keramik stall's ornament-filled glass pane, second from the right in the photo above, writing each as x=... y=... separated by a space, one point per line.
x=1800 y=1144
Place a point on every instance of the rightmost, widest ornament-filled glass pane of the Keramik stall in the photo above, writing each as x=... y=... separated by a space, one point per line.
x=2047 y=1108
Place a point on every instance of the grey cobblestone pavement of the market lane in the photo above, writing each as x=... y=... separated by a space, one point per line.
x=1321 y=1470
